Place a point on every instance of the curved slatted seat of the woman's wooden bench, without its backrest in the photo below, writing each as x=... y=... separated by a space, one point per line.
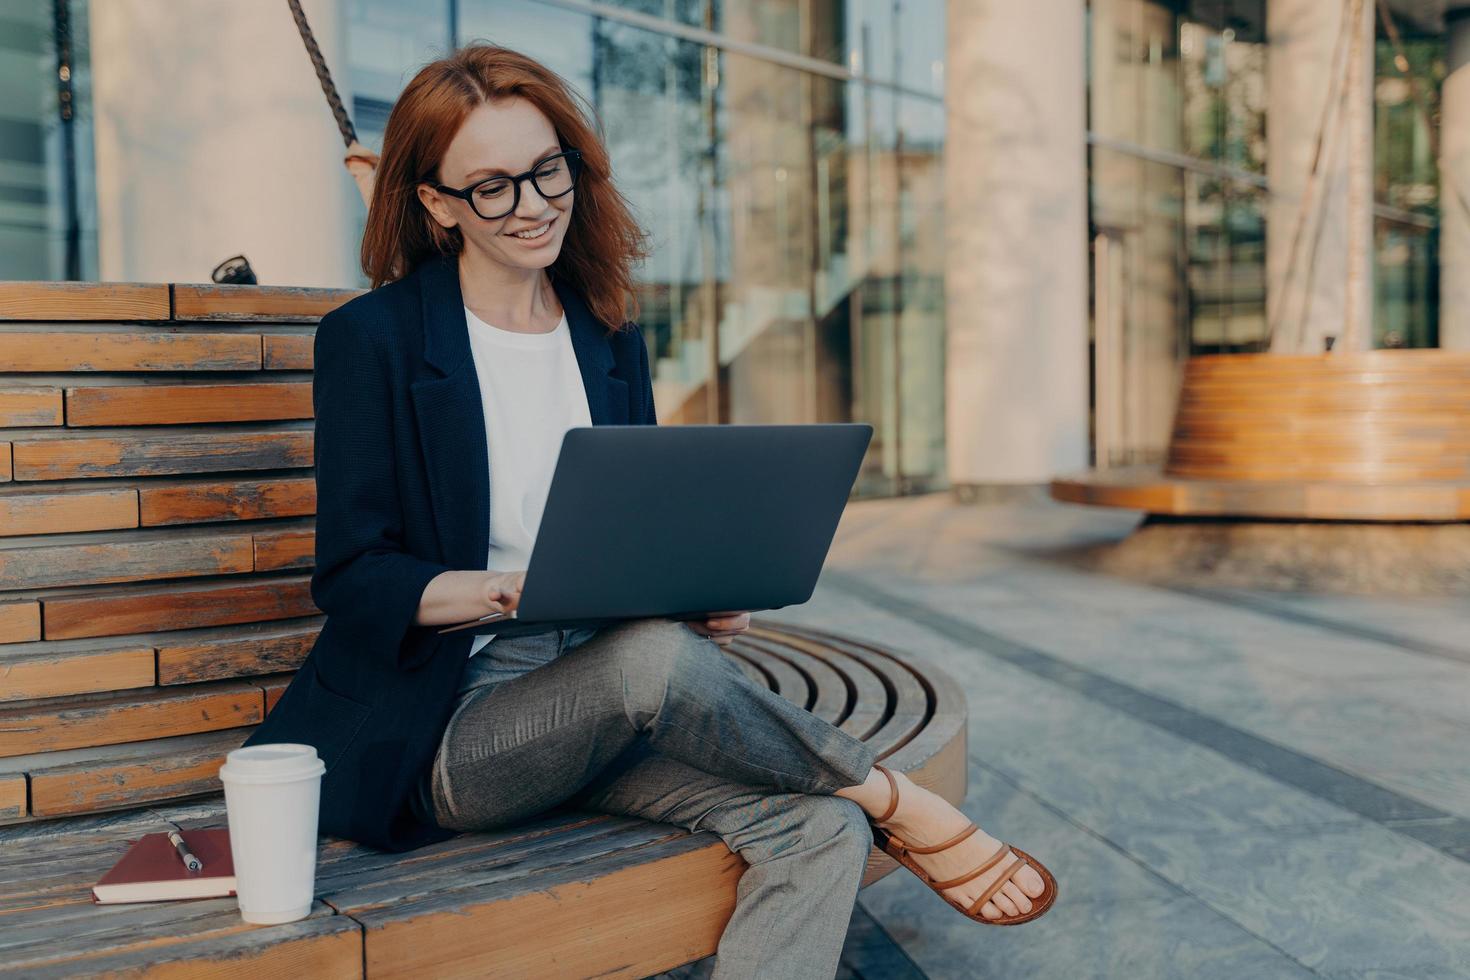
x=518 y=901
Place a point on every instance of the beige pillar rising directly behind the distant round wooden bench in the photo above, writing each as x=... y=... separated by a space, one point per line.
x=1319 y=256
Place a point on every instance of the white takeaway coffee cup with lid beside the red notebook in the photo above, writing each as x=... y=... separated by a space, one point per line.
x=273 y=794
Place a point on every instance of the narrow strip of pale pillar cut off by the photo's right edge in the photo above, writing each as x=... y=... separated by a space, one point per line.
x=1455 y=186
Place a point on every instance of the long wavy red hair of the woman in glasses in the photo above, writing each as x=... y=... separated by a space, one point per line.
x=603 y=242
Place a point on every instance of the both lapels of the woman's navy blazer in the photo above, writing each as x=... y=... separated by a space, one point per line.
x=451 y=415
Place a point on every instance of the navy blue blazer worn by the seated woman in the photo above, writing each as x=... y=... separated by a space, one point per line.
x=402 y=496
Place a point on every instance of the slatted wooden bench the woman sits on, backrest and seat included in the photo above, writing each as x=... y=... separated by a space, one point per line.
x=157 y=519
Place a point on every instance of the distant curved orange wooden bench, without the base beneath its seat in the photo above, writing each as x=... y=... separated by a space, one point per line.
x=1375 y=436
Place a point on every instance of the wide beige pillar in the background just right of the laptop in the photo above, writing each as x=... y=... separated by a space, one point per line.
x=1017 y=230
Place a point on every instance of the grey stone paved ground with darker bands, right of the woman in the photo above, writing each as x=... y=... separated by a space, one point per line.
x=1227 y=784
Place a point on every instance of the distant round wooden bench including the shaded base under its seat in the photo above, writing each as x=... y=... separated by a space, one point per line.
x=1346 y=472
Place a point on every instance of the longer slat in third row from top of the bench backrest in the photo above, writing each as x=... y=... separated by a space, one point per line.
x=176 y=405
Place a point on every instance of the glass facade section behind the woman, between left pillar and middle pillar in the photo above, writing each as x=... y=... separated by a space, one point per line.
x=786 y=158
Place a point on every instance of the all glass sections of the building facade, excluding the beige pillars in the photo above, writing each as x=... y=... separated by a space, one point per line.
x=789 y=159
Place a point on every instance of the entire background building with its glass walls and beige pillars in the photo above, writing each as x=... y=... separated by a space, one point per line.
x=992 y=230
